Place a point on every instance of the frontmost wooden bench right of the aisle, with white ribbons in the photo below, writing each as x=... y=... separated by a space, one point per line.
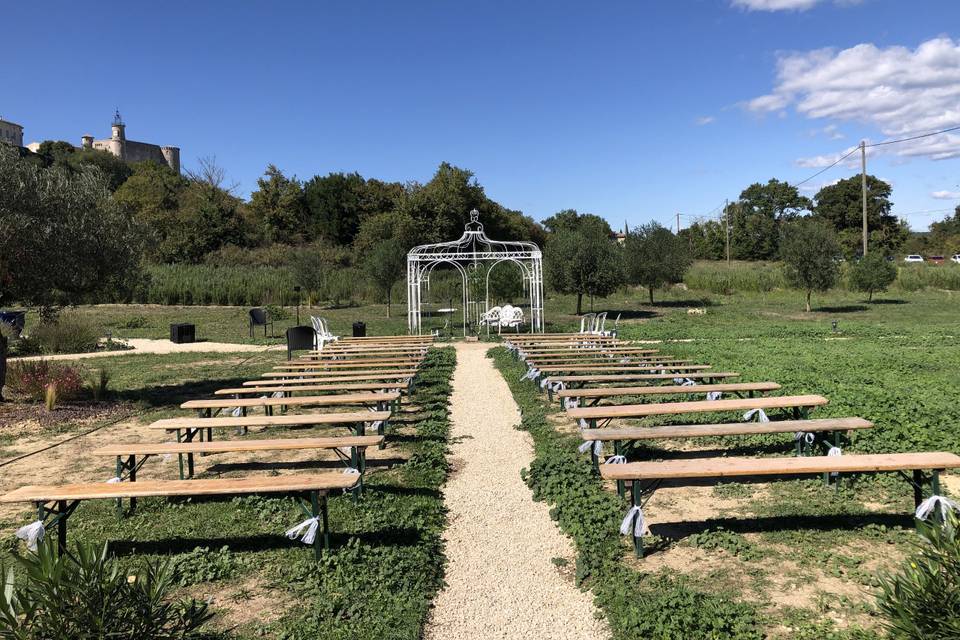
x=654 y=473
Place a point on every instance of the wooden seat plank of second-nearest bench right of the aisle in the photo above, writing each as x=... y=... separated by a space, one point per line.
x=725 y=429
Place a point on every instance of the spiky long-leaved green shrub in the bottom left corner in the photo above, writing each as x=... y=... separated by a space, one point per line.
x=87 y=595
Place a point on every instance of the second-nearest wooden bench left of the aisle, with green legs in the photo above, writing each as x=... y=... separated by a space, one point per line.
x=128 y=465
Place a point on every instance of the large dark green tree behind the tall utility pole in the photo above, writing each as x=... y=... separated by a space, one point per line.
x=841 y=206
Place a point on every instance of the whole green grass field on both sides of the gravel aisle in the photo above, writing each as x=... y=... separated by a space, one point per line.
x=785 y=560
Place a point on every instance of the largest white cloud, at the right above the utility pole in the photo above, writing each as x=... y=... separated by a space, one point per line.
x=900 y=91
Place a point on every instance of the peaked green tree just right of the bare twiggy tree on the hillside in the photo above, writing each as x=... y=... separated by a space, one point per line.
x=278 y=205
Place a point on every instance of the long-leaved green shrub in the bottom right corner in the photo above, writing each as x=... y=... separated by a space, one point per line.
x=923 y=599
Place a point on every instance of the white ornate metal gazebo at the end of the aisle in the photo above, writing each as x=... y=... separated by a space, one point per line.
x=466 y=255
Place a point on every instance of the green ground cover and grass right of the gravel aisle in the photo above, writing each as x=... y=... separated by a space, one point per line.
x=893 y=363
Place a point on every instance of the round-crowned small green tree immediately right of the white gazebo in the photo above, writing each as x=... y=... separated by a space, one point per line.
x=583 y=263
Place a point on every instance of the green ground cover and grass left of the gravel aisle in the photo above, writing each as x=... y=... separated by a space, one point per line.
x=387 y=561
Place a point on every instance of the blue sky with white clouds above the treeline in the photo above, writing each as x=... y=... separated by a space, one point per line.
x=631 y=110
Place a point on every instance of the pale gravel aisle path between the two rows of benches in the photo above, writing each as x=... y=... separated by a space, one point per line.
x=501 y=582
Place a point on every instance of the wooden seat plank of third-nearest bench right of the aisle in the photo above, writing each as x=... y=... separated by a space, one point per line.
x=700 y=406
